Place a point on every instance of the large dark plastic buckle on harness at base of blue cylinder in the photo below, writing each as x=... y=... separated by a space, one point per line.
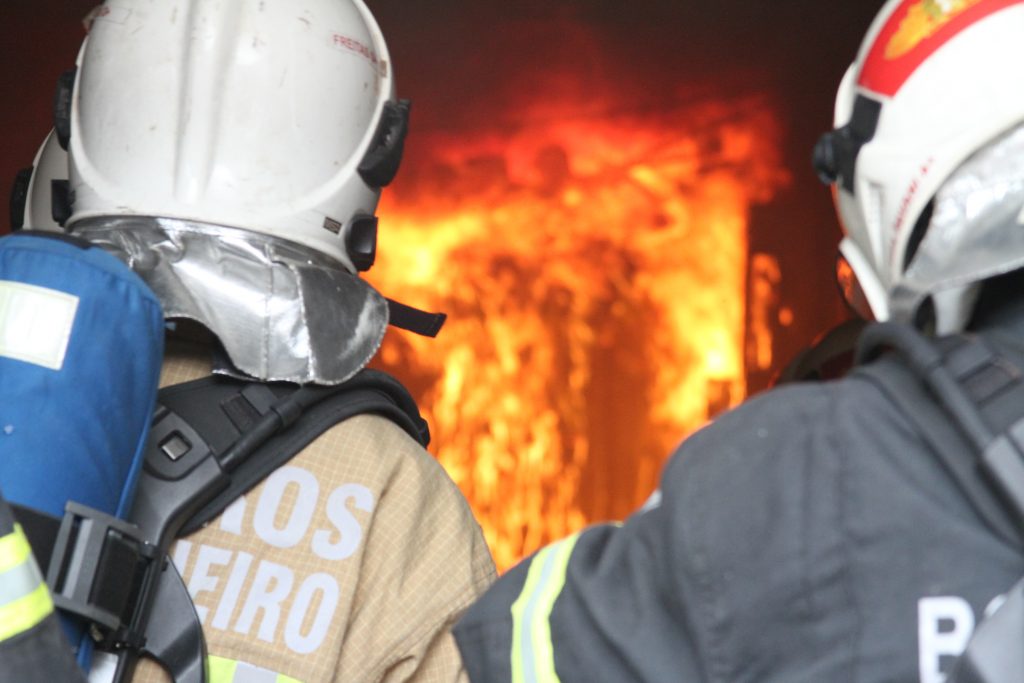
x=98 y=567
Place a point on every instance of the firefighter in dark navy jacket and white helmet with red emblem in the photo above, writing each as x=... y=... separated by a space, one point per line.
x=818 y=533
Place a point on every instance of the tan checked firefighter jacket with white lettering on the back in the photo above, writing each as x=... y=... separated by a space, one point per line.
x=350 y=564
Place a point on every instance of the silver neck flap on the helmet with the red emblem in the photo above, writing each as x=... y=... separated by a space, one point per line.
x=976 y=230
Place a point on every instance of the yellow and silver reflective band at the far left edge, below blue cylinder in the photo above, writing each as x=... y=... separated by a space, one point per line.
x=25 y=601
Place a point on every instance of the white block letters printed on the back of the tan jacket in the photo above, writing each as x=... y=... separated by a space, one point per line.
x=278 y=603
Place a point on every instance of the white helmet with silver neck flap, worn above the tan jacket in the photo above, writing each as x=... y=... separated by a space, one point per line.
x=233 y=153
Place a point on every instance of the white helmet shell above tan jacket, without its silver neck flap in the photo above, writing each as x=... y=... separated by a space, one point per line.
x=272 y=116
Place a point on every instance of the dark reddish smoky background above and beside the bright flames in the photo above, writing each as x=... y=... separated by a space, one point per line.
x=462 y=62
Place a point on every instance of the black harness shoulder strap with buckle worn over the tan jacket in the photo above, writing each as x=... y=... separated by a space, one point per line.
x=211 y=442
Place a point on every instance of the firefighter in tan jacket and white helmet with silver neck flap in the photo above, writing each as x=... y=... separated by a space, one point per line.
x=233 y=154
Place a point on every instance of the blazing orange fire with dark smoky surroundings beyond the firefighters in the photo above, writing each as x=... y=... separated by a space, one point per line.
x=592 y=244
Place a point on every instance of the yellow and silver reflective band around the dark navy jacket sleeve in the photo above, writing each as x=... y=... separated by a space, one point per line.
x=533 y=652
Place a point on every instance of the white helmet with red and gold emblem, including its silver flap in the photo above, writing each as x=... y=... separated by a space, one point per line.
x=927 y=159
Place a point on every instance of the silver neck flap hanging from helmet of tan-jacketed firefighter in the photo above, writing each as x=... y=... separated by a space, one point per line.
x=281 y=311
